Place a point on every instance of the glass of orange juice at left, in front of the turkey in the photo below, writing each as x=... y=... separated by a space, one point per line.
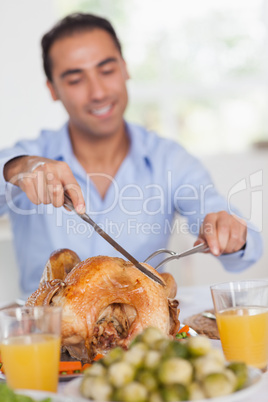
x=30 y=347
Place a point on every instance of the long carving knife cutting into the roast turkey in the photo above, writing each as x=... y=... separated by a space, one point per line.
x=68 y=203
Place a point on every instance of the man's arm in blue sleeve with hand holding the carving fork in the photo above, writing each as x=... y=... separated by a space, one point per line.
x=209 y=215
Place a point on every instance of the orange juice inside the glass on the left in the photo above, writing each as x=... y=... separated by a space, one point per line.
x=32 y=361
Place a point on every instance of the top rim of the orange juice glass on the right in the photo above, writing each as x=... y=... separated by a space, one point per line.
x=246 y=284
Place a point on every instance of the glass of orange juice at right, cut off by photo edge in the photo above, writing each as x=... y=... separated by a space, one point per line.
x=241 y=310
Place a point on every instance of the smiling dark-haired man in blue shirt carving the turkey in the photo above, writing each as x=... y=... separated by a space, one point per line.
x=132 y=181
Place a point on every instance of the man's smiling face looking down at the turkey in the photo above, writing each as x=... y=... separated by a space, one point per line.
x=89 y=77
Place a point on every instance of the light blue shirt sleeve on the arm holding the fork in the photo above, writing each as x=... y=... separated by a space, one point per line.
x=195 y=196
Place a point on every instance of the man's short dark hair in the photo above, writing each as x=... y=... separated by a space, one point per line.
x=70 y=25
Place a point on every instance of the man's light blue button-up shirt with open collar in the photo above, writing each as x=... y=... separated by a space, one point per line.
x=157 y=178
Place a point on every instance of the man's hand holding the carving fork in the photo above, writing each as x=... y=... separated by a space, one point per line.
x=223 y=233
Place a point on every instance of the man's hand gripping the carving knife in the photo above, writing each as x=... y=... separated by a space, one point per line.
x=44 y=181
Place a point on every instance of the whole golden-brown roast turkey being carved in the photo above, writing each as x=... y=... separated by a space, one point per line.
x=105 y=302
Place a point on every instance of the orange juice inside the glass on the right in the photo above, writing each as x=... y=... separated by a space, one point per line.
x=244 y=334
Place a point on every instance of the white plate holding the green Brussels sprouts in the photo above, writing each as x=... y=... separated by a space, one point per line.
x=255 y=379
